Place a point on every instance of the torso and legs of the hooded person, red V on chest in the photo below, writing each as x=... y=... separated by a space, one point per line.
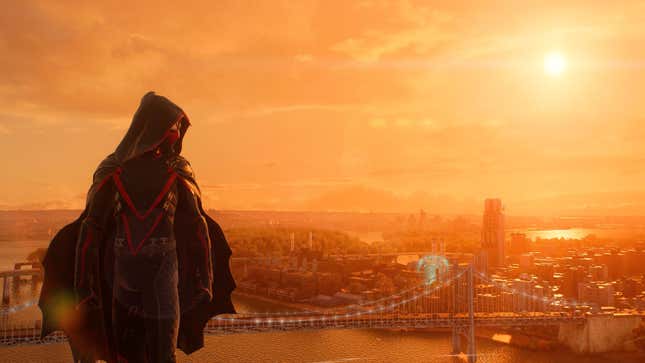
x=146 y=267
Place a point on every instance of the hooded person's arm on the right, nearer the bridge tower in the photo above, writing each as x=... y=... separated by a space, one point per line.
x=199 y=243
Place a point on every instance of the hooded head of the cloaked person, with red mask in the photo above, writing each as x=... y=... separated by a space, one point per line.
x=153 y=127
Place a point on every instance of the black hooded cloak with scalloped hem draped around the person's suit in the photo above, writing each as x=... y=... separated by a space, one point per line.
x=90 y=330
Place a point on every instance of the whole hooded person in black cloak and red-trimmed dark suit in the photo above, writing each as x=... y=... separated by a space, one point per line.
x=143 y=268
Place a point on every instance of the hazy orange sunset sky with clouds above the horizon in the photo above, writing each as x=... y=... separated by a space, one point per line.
x=354 y=105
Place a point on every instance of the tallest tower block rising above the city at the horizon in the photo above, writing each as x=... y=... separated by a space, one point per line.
x=493 y=232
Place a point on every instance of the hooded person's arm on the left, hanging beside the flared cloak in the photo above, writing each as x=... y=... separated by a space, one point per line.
x=91 y=233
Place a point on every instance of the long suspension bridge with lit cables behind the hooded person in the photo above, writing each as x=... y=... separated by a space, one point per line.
x=459 y=299
